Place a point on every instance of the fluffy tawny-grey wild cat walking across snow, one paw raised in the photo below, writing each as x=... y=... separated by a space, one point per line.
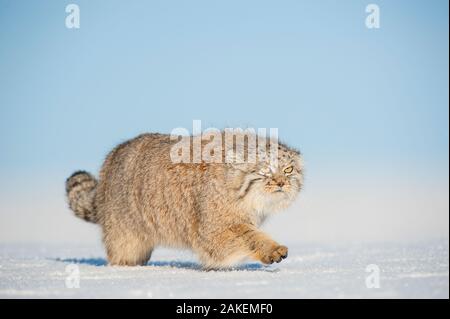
x=143 y=200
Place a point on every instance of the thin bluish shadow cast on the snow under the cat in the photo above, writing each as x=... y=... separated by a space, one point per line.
x=172 y=264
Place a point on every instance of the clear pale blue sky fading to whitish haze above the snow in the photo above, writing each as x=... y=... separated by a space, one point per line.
x=368 y=108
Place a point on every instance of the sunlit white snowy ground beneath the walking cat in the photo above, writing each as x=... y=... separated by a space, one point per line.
x=311 y=271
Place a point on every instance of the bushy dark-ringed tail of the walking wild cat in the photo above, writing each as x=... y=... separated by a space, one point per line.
x=80 y=190
